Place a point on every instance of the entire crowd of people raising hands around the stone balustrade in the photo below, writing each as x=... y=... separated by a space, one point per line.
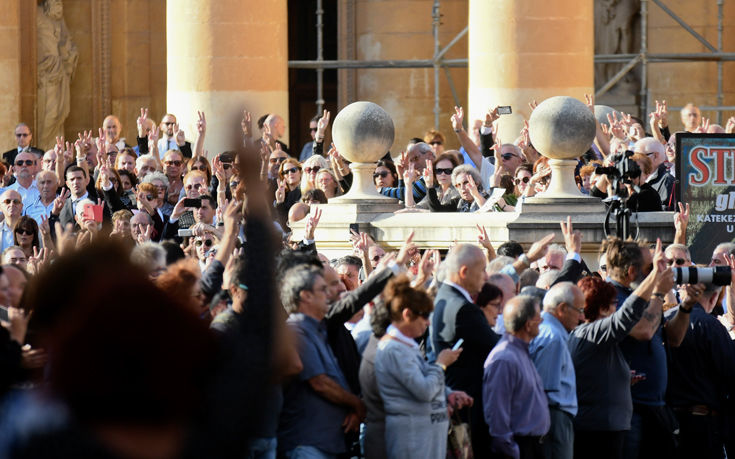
x=157 y=304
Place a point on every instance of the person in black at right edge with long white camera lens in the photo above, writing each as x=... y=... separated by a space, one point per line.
x=701 y=373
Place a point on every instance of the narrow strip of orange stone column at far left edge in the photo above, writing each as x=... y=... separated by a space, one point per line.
x=10 y=66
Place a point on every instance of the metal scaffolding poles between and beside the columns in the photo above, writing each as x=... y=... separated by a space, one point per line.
x=631 y=61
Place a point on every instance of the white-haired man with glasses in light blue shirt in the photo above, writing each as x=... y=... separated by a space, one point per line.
x=563 y=311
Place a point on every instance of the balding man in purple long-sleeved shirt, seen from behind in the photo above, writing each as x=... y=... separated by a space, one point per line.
x=515 y=405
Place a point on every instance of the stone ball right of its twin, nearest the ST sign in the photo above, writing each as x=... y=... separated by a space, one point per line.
x=562 y=128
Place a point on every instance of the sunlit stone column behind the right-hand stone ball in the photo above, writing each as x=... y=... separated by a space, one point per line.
x=520 y=50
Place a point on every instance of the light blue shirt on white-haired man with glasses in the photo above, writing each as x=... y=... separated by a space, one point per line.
x=550 y=355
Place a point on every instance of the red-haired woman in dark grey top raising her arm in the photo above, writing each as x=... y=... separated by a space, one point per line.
x=602 y=373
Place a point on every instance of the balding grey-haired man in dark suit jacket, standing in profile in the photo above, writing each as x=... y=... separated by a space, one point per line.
x=456 y=317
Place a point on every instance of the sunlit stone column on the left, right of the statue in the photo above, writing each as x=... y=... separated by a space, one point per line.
x=224 y=56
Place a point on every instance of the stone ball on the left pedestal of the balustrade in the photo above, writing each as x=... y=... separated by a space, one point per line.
x=363 y=132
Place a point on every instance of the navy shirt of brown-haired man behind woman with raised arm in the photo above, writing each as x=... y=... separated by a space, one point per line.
x=647 y=357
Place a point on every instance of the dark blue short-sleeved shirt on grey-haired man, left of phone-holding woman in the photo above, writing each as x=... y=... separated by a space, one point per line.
x=308 y=419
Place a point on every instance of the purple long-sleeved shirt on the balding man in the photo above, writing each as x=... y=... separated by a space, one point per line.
x=513 y=398
